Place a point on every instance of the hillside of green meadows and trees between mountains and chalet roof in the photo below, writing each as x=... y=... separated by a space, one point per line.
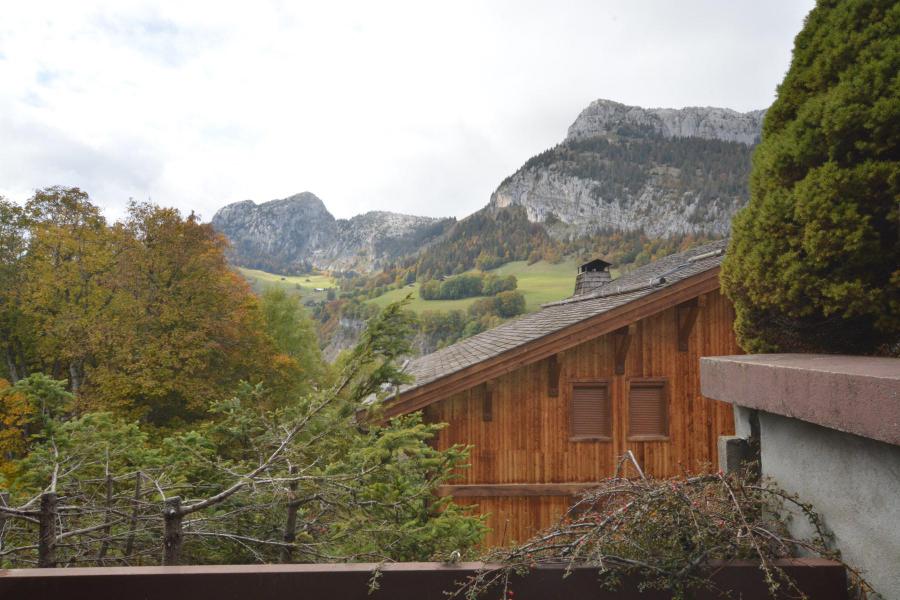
x=446 y=312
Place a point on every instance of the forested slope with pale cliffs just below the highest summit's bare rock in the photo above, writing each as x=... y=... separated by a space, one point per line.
x=631 y=179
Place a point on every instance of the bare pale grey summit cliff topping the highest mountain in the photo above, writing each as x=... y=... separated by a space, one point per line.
x=603 y=117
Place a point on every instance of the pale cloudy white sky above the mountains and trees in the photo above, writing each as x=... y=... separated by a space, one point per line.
x=418 y=107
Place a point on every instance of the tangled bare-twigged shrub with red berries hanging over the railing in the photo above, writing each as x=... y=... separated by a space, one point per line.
x=669 y=532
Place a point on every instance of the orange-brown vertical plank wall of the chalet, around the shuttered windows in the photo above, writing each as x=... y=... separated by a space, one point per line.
x=526 y=440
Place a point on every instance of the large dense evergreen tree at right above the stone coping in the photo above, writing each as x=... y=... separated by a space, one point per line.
x=813 y=261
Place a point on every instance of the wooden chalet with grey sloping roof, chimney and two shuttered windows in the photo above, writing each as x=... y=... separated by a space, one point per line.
x=551 y=400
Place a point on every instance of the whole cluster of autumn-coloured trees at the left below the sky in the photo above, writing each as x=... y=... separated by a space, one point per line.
x=144 y=317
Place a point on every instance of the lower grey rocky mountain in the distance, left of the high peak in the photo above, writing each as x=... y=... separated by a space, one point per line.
x=296 y=233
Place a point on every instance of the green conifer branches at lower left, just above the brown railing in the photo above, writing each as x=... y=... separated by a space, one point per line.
x=259 y=481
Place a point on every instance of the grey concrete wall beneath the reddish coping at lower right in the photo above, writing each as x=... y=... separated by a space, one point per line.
x=852 y=481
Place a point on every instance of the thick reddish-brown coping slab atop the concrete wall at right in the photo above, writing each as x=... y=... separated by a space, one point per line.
x=853 y=394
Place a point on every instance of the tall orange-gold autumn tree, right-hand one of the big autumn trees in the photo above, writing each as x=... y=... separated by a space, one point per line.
x=181 y=327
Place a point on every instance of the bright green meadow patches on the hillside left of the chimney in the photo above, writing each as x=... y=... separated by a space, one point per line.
x=540 y=283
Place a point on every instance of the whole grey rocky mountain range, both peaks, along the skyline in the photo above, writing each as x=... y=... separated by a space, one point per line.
x=655 y=173
